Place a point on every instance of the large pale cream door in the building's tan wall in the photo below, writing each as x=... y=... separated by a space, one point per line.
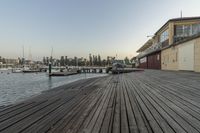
x=186 y=56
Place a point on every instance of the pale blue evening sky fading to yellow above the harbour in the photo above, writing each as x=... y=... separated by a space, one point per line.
x=79 y=27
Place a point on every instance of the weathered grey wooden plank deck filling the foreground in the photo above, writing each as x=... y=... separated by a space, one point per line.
x=139 y=102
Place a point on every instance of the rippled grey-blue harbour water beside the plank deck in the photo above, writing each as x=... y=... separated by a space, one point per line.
x=15 y=87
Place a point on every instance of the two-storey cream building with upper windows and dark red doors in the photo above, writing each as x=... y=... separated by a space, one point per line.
x=175 y=46
